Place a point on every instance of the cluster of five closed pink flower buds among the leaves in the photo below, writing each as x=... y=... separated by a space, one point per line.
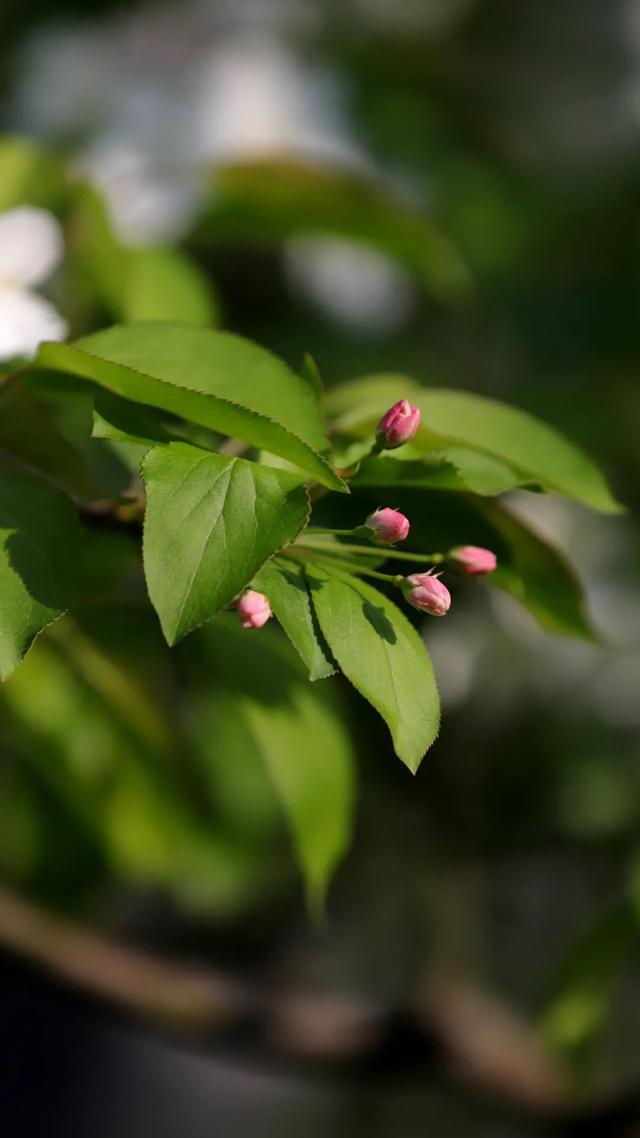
x=387 y=526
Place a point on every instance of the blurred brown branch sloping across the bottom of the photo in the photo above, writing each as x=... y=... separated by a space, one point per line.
x=470 y=1035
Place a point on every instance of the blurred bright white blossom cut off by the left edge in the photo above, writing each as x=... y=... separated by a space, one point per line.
x=31 y=248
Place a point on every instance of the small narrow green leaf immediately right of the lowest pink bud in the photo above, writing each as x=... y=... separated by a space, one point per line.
x=285 y=584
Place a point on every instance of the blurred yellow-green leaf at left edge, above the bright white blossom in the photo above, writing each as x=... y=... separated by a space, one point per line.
x=29 y=176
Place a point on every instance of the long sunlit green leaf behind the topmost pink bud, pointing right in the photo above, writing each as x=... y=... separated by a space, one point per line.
x=534 y=450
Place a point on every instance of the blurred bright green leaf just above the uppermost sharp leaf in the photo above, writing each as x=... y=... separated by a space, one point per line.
x=163 y=284
